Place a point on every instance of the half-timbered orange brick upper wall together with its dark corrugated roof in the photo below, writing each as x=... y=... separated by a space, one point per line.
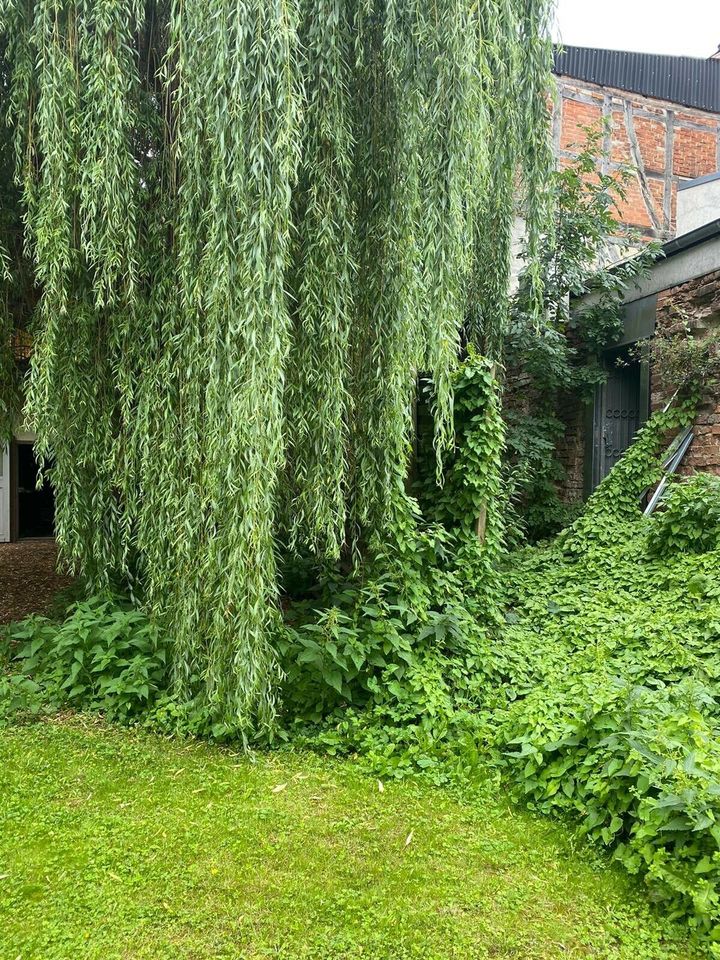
x=662 y=116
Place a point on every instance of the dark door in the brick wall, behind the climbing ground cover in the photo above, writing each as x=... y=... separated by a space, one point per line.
x=620 y=410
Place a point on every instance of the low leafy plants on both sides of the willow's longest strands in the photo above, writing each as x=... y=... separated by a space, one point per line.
x=588 y=684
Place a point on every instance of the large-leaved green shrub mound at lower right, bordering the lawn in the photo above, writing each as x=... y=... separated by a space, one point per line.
x=640 y=768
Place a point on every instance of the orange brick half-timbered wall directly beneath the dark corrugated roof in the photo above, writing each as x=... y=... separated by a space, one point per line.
x=665 y=142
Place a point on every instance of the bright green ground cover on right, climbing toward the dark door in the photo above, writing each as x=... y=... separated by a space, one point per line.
x=607 y=677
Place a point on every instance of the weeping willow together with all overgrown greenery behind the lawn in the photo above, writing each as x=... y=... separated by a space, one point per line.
x=242 y=272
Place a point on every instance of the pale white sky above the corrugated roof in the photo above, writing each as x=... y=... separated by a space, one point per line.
x=686 y=28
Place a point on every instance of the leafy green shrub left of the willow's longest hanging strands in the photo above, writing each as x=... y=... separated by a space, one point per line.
x=106 y=655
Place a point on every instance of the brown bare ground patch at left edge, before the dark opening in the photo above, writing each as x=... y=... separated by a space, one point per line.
x=28 y=579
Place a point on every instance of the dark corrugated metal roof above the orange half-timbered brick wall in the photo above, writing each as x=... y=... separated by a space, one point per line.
x=684 y=80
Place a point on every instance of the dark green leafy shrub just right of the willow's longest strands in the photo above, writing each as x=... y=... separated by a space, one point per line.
x=391 y=666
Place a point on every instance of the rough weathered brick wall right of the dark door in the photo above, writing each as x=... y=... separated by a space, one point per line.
x=697 y=304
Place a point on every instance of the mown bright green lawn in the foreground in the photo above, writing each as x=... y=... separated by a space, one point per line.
x=116 y=844
